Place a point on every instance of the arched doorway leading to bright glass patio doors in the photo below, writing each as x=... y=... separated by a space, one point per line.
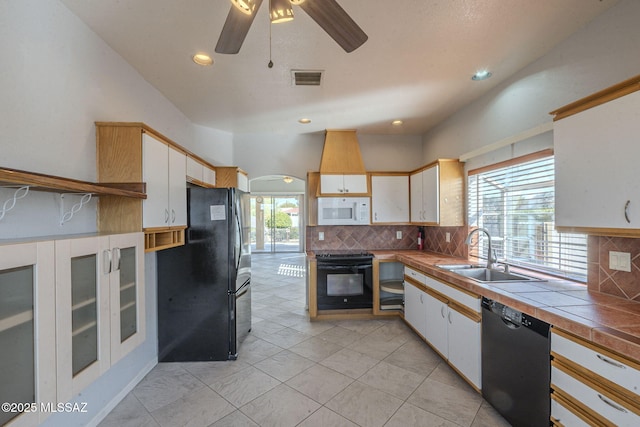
x=277 y=212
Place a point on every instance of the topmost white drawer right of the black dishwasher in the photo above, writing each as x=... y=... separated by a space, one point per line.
x=614 y=368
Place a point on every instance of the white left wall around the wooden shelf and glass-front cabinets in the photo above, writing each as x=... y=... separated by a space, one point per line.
x=57 y=78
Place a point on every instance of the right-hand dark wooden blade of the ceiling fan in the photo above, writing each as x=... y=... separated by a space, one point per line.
x=336 y=22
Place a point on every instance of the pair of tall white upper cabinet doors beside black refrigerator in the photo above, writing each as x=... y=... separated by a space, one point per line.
x=164 y=171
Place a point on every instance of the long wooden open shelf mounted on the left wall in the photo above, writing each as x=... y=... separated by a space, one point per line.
x=42 y=182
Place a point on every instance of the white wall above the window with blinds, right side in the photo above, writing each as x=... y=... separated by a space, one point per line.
x=602 y=54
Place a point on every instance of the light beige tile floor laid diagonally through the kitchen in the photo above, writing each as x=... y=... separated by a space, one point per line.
x=291 y=372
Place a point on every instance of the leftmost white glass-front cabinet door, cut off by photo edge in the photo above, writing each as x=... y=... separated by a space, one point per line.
x=27 y=331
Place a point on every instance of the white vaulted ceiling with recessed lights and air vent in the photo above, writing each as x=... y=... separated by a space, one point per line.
x=416 y=65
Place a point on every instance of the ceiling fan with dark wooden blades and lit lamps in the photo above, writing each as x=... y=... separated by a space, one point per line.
x=327 y=13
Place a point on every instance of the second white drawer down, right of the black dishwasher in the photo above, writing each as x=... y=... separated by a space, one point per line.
x=600 y=403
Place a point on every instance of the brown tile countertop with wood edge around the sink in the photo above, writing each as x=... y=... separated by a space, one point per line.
x=612 y=322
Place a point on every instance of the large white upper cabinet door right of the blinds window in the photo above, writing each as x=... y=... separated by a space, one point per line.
x=596 y=156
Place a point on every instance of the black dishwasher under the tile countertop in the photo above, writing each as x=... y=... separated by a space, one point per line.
x=516 y=369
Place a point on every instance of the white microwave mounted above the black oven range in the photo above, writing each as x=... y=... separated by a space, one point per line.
x=343 y=211
